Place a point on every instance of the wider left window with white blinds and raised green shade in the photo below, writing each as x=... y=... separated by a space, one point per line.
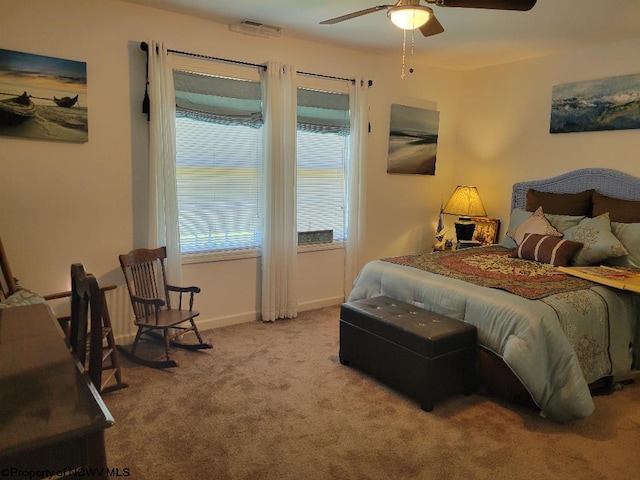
x=218 y=156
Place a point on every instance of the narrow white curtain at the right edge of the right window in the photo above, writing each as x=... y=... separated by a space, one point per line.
x=357 y=153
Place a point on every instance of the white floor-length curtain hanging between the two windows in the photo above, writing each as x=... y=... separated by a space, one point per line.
x=279 y=248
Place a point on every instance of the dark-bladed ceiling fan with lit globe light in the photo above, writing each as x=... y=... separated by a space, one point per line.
x=409 y=14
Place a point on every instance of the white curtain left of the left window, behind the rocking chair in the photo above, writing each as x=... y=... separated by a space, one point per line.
x=163 y=190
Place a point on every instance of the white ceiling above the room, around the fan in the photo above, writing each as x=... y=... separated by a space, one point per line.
x=472 y=38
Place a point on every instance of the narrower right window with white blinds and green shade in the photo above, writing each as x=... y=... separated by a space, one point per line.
x=322 y=150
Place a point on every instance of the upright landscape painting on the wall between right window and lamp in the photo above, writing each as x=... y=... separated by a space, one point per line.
x=413 y=140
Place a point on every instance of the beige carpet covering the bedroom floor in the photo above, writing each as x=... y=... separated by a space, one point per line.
x=271 y=401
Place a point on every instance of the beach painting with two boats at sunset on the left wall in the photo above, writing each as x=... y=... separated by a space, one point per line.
x=43 y=97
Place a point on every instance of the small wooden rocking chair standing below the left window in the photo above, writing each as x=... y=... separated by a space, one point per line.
x=146 y=279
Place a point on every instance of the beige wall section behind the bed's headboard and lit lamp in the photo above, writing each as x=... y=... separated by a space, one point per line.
x=503 y=128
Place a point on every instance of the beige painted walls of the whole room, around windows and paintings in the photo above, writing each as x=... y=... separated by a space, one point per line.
x=64 y=203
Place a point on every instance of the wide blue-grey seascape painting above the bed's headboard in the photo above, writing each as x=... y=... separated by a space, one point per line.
x=605 y=104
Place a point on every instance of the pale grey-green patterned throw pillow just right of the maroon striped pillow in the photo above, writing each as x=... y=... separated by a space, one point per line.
x=599 y=243
